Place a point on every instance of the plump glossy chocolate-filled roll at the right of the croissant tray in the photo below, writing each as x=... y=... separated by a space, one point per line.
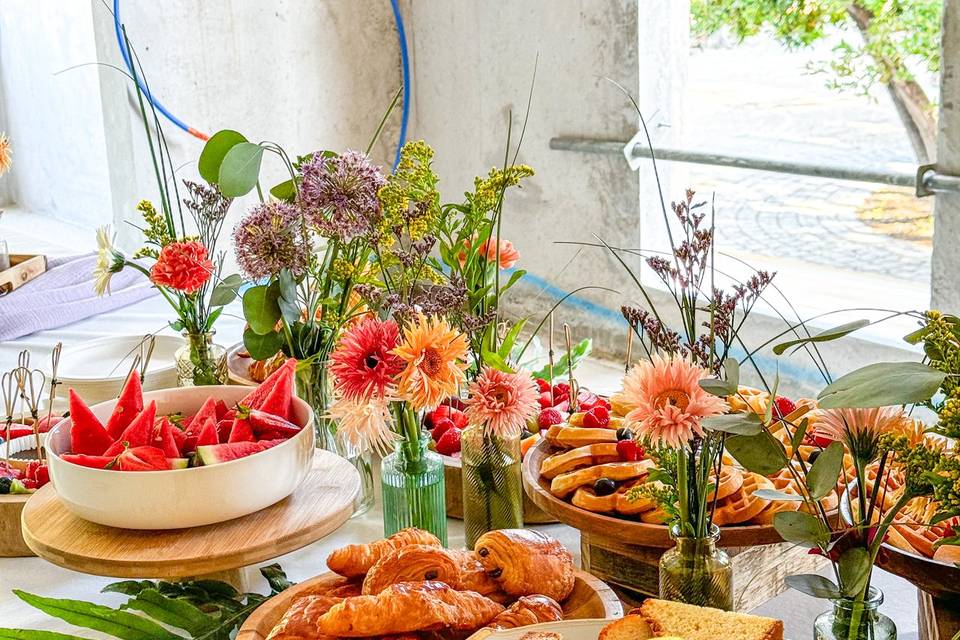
x=525 y=562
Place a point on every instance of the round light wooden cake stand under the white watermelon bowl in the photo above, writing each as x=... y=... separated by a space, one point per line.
x=322 y=503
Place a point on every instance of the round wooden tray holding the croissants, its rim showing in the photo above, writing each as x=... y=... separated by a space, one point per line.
x=591 y=598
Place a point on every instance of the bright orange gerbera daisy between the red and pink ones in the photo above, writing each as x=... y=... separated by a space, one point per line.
x=435 y=356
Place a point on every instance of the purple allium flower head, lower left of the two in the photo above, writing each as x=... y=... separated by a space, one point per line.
x=270 y=238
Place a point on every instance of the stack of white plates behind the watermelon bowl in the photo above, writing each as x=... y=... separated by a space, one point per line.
x=97 y=369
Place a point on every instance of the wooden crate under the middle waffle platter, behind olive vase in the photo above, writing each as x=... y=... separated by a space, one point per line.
x=632 y=570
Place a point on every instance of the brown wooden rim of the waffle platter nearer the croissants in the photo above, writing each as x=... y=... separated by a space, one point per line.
x=629 y=531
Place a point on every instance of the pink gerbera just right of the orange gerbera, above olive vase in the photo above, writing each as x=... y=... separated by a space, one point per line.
x=502 y=402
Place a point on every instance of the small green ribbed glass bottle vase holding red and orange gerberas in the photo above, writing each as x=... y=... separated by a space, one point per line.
x=414 y=494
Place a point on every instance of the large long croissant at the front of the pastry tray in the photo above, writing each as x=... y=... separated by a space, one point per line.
x=406 y=607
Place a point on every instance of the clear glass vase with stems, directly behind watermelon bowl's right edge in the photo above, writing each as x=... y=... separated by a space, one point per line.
x=315 y=387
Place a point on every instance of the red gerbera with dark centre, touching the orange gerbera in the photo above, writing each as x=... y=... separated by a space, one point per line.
x=363 y=363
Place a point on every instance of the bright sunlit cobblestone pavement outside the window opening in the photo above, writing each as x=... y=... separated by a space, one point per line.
x=758 y=99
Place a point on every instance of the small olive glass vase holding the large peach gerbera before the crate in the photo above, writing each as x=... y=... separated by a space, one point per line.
x=695 y=571
